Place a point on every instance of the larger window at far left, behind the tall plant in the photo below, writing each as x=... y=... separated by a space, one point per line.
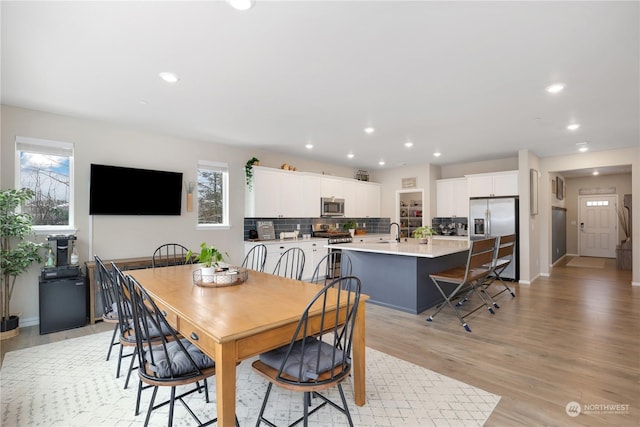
x=46 y=167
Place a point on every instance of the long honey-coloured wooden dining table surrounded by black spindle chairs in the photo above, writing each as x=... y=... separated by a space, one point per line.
x=234 y=323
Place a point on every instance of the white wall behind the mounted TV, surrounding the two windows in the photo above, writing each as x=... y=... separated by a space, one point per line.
x=132 y=236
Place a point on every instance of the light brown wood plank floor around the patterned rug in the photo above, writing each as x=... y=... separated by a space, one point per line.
x=570 y=337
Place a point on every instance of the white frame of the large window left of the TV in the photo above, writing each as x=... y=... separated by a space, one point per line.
x=48 y=147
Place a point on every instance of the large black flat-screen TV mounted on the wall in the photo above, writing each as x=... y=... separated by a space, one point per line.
x=118 y=190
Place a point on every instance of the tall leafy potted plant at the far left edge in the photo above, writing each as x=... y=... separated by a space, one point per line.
x=17 y=253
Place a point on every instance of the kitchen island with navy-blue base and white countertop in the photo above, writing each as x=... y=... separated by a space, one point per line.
x=396 y=275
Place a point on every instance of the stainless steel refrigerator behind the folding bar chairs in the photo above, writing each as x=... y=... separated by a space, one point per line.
x=493 y=217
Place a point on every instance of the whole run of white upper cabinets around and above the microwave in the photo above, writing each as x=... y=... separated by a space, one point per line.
x=277 y=193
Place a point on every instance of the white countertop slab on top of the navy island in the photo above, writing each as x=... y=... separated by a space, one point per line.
x=435 y=248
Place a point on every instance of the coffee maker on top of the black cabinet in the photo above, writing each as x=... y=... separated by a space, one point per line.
x=62 y=259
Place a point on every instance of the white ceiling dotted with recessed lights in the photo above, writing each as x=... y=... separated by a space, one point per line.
x=463 y=78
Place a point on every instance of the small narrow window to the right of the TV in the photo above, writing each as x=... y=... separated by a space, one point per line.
x=213 y=194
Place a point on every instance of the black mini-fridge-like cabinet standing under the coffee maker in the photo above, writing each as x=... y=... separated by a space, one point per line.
x=63 y=303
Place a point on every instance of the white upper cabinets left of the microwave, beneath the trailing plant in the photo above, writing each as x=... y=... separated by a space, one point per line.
x=275 y=193
